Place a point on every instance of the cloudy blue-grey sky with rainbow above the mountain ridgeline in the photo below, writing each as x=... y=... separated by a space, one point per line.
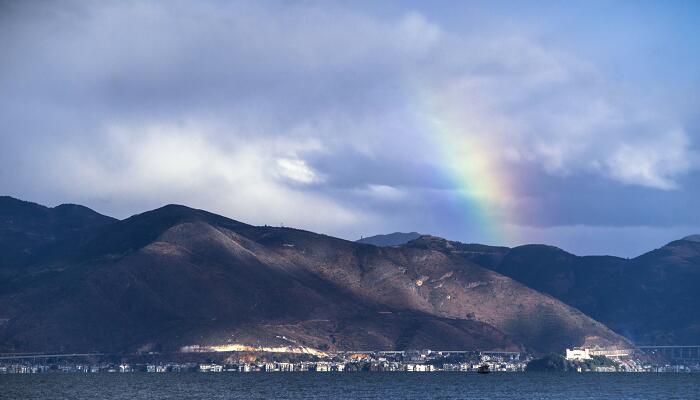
x=575 y=124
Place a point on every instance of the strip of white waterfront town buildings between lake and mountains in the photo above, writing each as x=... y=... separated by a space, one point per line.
x=579 y=360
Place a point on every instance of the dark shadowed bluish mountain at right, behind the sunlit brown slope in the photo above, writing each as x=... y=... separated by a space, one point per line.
x=651 y=299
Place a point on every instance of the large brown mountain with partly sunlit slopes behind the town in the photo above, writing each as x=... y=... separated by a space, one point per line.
x=177 y=276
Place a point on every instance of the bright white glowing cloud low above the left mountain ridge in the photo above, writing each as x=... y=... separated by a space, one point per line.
x=188 y=164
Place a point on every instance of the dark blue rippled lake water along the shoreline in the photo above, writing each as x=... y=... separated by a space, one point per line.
x=369 y=385
